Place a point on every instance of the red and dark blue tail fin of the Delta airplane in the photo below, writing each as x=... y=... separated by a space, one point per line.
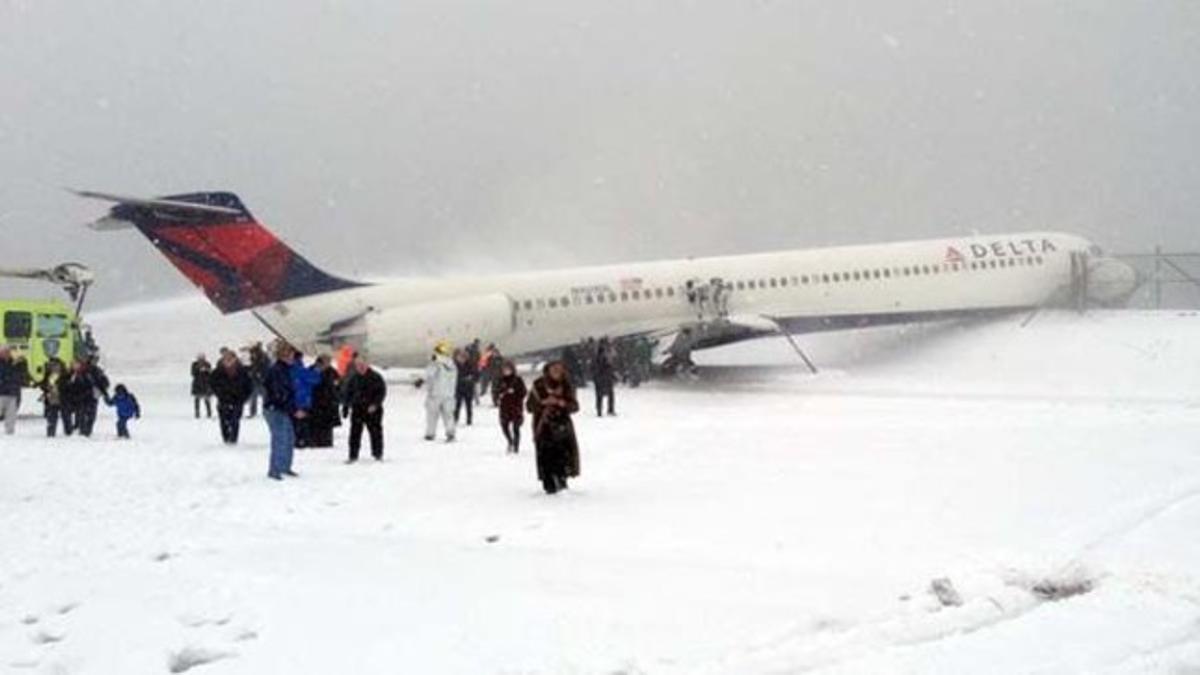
x=217 y=243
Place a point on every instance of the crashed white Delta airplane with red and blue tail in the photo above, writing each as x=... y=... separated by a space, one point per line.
x=218 y=244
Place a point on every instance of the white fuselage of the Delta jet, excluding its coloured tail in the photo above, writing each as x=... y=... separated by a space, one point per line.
x=399 y=322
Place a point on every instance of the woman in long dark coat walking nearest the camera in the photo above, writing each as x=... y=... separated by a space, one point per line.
x=553 y=402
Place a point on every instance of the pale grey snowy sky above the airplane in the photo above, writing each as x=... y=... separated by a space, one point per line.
x=451 y=136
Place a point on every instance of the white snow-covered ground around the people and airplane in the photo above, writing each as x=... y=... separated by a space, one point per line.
x=760 y=521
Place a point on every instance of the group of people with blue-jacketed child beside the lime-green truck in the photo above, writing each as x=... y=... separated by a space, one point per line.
x=70 y=397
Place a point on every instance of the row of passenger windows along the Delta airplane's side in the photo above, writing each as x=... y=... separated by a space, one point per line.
x=785 y=282
